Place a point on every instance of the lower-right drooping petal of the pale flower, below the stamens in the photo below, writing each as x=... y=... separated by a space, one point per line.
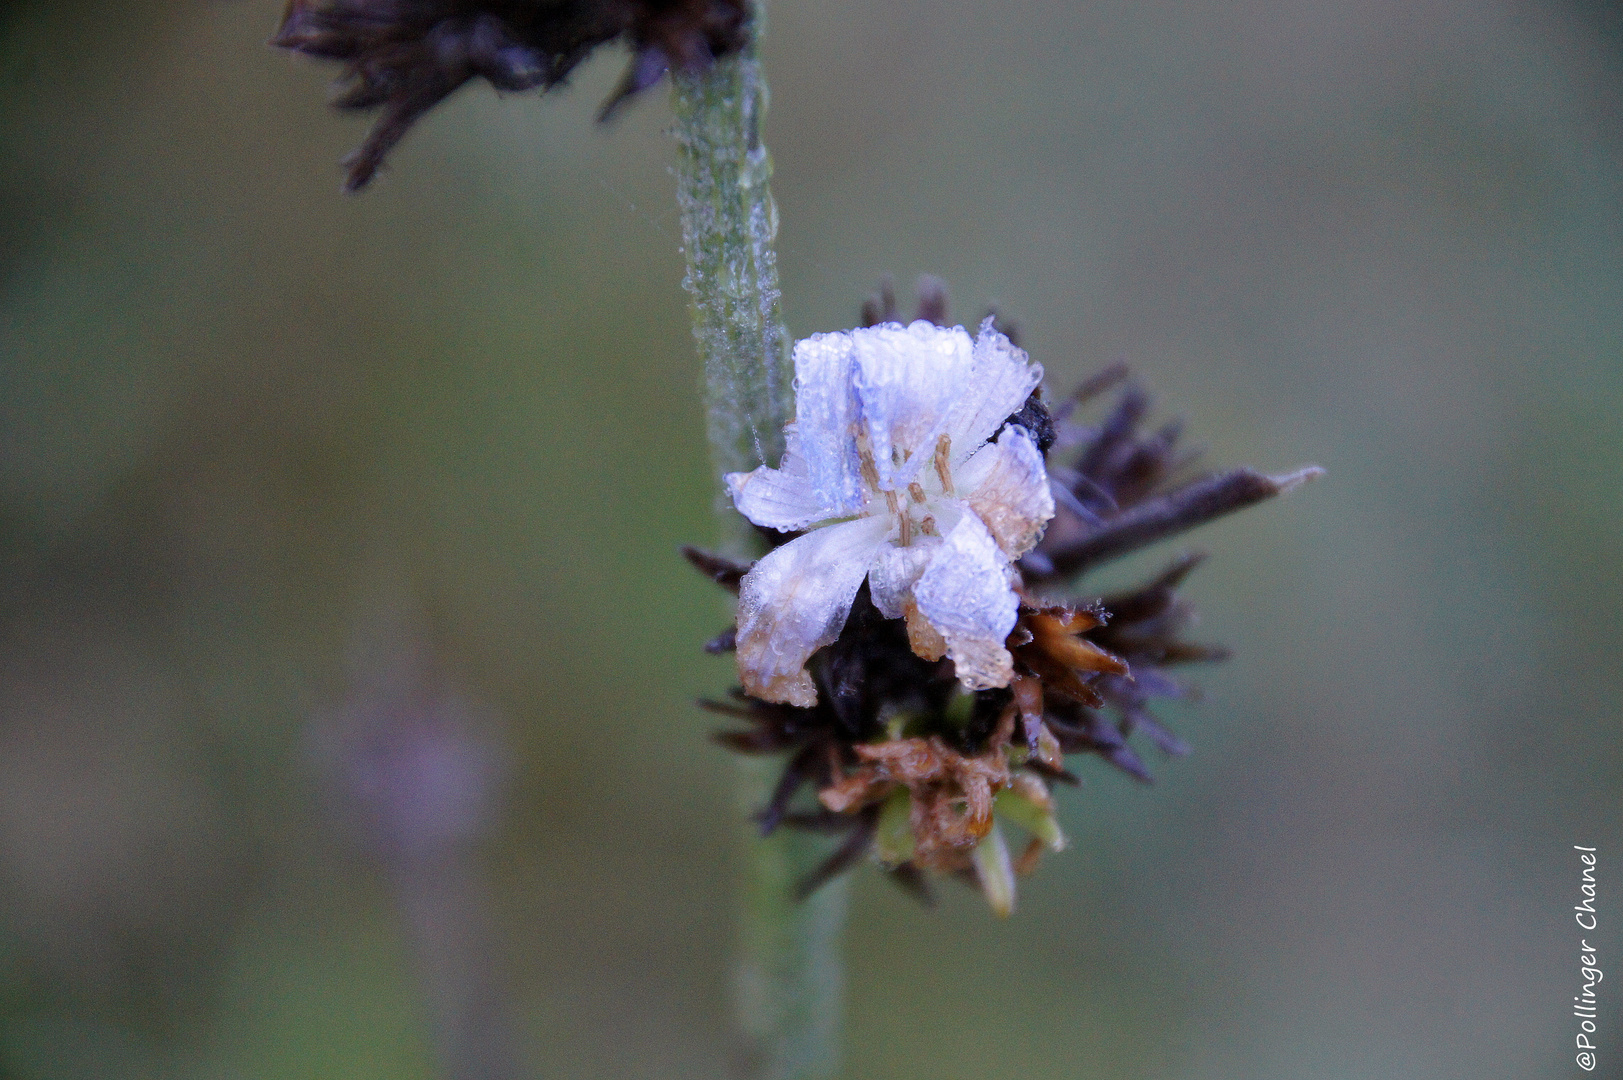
x=966 y=597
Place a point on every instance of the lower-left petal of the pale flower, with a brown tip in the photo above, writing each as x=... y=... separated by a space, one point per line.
x=796 y=602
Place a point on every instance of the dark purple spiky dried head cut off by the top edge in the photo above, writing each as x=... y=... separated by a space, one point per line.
x=403 y=58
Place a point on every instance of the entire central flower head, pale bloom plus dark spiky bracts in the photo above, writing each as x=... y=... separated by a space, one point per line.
x=929 y=720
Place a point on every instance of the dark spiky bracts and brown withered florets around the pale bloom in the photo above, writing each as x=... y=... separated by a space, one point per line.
x=906 y=766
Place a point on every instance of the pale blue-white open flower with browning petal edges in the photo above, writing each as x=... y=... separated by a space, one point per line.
x=902 y=477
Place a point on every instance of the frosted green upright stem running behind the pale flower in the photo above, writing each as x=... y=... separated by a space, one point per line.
x=788 y=977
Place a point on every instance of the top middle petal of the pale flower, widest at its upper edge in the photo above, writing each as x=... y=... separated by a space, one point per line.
x=908 y=379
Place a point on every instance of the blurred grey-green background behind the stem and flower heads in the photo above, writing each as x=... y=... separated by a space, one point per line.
x=270 y=454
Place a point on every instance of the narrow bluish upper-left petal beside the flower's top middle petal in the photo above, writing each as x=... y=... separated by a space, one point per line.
x=827 y=420
